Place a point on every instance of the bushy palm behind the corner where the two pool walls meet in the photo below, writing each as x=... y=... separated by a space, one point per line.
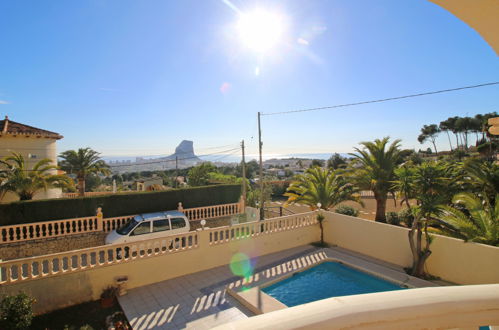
x=321 y=188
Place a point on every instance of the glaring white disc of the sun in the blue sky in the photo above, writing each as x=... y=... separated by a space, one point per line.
x=260 y=30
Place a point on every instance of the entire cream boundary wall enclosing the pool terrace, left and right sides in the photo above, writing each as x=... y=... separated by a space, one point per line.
x=452 y=260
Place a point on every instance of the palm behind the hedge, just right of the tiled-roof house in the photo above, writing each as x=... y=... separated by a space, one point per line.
x=82 y=163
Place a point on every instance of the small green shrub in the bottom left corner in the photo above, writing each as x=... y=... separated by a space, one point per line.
x=16 y=312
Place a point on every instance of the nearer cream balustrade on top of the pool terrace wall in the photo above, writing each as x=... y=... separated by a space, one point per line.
x=15 y=271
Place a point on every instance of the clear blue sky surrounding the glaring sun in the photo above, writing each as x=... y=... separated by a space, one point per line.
x=137 y=77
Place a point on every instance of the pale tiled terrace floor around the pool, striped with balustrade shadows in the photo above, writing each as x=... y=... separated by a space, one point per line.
x=199 y=301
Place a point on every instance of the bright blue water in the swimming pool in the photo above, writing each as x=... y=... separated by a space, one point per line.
x=326 y=280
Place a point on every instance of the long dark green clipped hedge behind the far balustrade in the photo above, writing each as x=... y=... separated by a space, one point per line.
x=115 y=205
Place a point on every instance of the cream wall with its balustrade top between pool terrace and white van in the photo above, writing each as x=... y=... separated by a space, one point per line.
x=69 y=278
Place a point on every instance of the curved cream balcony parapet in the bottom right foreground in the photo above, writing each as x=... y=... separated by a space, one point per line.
x=454 y=307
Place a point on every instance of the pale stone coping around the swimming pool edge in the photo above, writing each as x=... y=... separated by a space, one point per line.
x=259 y=302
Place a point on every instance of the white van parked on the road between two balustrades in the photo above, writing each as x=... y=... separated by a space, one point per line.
x=149 y=226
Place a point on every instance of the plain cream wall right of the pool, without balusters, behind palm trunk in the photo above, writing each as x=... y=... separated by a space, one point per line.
x=452 y=259
